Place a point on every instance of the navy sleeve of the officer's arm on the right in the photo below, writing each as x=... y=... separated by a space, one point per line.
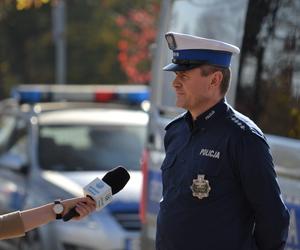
x=259 y=182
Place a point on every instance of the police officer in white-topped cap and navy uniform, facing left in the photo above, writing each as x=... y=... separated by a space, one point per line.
x=219 y=185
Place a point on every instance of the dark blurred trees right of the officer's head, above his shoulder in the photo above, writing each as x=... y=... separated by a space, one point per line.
x=269 y=52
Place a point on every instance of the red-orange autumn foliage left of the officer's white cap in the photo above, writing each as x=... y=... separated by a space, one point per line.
x=138 y=31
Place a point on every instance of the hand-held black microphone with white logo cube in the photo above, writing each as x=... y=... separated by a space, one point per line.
x=101 y=191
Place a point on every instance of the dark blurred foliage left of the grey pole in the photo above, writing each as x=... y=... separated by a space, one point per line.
x=26 y=47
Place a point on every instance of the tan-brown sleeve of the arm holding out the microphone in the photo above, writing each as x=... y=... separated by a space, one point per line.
x=11 y=225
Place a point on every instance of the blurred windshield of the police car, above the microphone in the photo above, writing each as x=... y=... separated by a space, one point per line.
x=90 y=148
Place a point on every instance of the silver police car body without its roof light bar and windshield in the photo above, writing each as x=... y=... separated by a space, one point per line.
x=26 y=183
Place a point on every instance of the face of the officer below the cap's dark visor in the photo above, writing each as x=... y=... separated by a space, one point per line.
x=193 y=90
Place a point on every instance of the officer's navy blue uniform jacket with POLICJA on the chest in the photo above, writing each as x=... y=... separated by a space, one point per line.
x=244 y=209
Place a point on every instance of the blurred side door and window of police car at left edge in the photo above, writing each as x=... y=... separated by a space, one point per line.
x=14 y=162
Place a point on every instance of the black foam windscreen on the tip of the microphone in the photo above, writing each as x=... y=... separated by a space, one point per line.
x=116 y=178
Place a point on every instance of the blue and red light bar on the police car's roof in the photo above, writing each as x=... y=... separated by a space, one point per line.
x=125 y=94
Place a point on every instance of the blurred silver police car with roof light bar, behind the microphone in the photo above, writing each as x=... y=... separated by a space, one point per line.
x=54 y=140
